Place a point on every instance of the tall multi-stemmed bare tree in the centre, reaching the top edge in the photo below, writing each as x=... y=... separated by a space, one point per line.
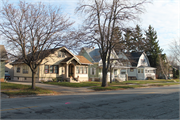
x=102 y=17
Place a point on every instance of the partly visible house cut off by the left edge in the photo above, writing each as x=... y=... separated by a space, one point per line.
x=3 y=58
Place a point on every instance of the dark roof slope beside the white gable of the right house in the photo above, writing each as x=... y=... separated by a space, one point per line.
x=134 y=57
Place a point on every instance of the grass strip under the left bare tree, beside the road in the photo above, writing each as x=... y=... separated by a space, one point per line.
x=17 y=89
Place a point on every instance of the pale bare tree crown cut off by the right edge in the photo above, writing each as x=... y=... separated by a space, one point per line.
x=175 y=50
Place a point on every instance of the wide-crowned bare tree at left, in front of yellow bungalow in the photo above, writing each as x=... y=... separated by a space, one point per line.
x=33 y=28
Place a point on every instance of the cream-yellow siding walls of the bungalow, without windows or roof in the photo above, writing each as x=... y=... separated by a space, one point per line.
x=52 y=60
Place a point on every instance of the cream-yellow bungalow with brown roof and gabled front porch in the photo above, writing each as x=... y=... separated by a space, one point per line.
x=60 y=64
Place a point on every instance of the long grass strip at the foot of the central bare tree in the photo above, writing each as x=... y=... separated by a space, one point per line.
x=118 y=85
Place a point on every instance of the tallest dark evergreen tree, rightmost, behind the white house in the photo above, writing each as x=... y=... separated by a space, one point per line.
x=152 y=47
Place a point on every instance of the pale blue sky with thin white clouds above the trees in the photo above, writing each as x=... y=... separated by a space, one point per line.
x=163 y=15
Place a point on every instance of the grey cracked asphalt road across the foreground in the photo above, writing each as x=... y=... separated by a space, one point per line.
x=141 y=103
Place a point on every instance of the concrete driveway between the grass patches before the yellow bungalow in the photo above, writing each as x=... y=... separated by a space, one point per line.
x=60 y=89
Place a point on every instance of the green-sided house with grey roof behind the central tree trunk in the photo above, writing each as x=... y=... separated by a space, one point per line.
x=95 y=70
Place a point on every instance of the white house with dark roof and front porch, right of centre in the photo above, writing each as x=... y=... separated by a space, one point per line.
x=140 y=68
